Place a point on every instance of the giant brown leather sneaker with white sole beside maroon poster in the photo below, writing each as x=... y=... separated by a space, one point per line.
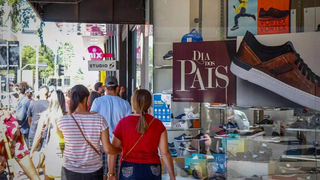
x=279 y=69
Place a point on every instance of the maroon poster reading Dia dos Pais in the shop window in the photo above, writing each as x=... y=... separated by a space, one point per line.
x=201 y=72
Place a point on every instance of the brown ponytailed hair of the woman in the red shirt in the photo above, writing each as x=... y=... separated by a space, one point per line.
x=141 y=101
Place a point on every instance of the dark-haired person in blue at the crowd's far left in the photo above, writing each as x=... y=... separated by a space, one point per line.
x=22 y=110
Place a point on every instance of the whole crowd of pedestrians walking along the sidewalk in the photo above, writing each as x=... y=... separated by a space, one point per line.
x=91 y=135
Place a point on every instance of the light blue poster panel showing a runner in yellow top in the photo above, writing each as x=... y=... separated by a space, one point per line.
x=242 y=17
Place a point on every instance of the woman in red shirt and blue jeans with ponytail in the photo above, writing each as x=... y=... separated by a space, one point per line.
x=140 y=136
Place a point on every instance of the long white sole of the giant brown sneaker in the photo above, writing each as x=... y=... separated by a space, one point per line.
x=264 y=80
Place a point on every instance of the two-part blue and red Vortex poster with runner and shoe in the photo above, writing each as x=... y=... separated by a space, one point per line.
x=258 y=16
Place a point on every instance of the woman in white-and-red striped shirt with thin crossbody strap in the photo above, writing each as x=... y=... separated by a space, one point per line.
x=82 y=132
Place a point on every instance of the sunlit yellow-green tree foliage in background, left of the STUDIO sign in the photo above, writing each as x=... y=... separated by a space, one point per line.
x=46 y=55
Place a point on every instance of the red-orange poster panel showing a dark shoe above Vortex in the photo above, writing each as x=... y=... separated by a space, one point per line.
x=274 y=17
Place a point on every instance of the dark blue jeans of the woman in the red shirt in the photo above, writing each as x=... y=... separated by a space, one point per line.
x=134 y=171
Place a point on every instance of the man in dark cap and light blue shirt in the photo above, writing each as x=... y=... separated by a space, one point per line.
x=112 y=108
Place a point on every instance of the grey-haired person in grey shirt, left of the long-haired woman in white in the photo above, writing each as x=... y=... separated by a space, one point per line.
x=35 y=110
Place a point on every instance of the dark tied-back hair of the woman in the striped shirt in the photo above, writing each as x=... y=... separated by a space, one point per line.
x=78 y=94
